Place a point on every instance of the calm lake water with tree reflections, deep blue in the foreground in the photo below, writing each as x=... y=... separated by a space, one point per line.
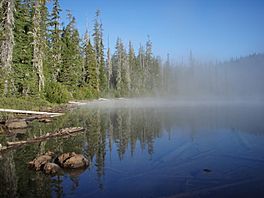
x=147 y=149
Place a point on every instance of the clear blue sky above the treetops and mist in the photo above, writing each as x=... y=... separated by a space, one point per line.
x=211 y=29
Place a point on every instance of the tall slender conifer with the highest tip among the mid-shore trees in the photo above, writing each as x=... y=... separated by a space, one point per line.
x=99 y=51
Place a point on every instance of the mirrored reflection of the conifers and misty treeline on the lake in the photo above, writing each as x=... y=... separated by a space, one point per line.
x=112 y=133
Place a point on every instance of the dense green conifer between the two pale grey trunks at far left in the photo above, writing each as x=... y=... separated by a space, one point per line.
x=24 y=74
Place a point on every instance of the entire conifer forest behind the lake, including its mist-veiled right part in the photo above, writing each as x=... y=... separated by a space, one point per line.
x=44 y=59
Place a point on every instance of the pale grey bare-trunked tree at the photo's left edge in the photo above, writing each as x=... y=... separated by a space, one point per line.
x=7 y=40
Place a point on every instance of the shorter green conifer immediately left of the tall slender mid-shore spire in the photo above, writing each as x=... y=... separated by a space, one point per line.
x=90 y=74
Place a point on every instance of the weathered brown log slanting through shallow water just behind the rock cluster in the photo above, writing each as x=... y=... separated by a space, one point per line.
x=59 y=133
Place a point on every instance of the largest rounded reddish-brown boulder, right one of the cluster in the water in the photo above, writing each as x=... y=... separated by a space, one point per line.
x=72 y=160
